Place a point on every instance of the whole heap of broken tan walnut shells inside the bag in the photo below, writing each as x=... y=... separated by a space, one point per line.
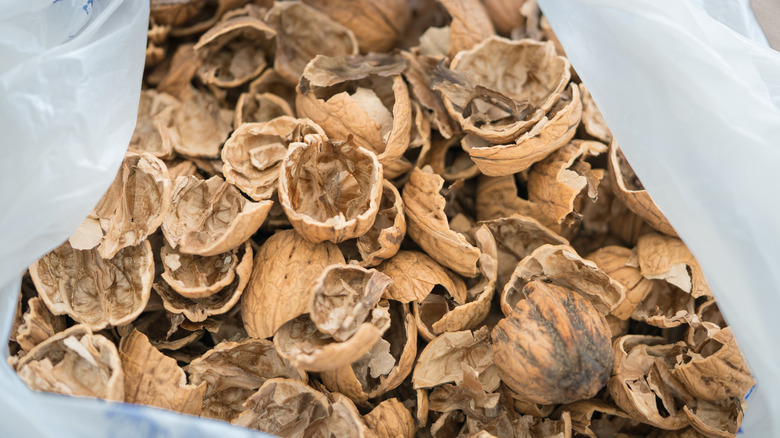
x=379 y=218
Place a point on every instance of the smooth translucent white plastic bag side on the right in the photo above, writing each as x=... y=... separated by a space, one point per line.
x=695 y=106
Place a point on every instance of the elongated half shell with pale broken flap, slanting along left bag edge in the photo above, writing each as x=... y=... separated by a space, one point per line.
x=114 y=224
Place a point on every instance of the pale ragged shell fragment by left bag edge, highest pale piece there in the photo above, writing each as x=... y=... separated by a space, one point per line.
x=154 y=109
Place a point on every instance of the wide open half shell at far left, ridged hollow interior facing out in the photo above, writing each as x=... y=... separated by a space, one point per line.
x=114 y=293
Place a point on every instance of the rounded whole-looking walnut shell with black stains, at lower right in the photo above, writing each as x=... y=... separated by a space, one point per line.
x=555 y=347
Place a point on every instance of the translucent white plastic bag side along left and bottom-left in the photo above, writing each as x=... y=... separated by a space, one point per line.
x=70 y=80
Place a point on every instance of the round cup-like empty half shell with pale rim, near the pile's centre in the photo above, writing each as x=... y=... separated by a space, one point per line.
x=330 y=190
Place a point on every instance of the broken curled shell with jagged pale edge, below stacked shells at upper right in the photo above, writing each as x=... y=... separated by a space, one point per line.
x=556 y=182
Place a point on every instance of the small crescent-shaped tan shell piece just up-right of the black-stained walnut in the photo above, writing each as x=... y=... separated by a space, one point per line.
x=622 y=265
